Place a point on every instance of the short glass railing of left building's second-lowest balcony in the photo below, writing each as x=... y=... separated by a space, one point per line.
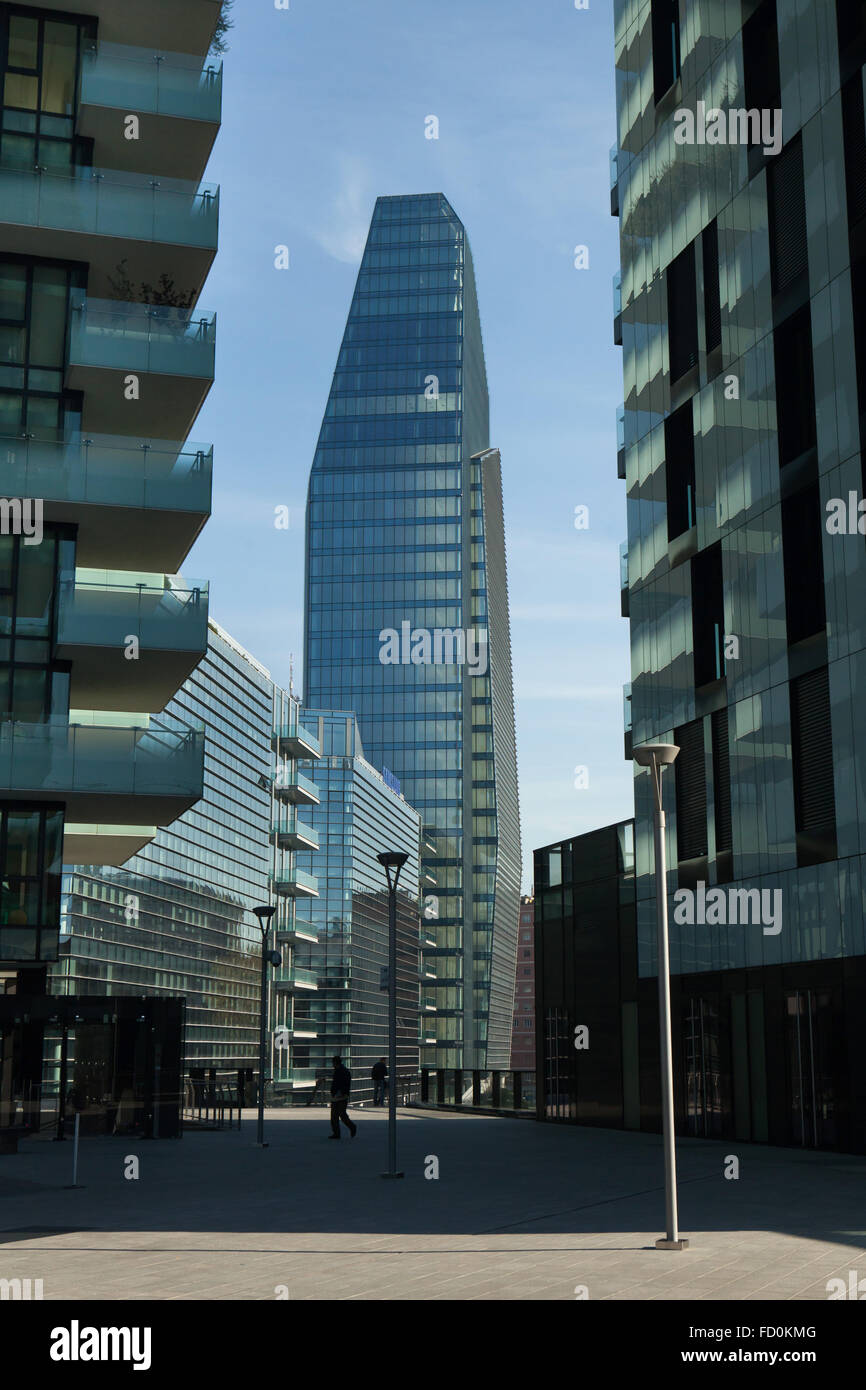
x=101 y=608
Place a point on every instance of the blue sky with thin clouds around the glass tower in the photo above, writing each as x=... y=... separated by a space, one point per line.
x=325 y=109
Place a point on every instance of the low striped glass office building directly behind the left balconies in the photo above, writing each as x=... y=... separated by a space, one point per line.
x=176 y=921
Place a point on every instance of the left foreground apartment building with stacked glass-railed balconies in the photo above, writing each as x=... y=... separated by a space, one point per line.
x=106 y=240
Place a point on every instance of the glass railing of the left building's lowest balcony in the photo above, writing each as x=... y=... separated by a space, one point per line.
x=163 y=758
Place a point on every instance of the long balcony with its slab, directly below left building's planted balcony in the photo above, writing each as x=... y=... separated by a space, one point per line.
x=137 y=502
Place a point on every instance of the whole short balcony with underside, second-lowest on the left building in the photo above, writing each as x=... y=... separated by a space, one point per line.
x=101 y=611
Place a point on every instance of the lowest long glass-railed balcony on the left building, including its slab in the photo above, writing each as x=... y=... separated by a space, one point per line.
x=104 y=772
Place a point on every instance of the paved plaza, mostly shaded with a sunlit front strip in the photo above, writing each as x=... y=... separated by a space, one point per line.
x=519 y=1211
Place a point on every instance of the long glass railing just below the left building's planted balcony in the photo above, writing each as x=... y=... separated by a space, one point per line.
x=109 y=471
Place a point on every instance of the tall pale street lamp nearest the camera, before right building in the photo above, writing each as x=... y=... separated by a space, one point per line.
x=658 y=757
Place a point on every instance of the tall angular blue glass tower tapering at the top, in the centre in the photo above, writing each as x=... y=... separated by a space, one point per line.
x=407 y=544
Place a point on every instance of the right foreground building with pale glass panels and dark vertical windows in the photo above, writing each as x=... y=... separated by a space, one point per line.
x=740 y=194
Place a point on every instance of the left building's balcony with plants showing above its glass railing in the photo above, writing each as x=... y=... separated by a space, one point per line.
x=170 y=350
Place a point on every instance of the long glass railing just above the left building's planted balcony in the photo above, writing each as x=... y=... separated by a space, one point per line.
x=106 y=204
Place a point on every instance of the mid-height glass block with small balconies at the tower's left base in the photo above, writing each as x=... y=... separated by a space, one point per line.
x=338 y=981
